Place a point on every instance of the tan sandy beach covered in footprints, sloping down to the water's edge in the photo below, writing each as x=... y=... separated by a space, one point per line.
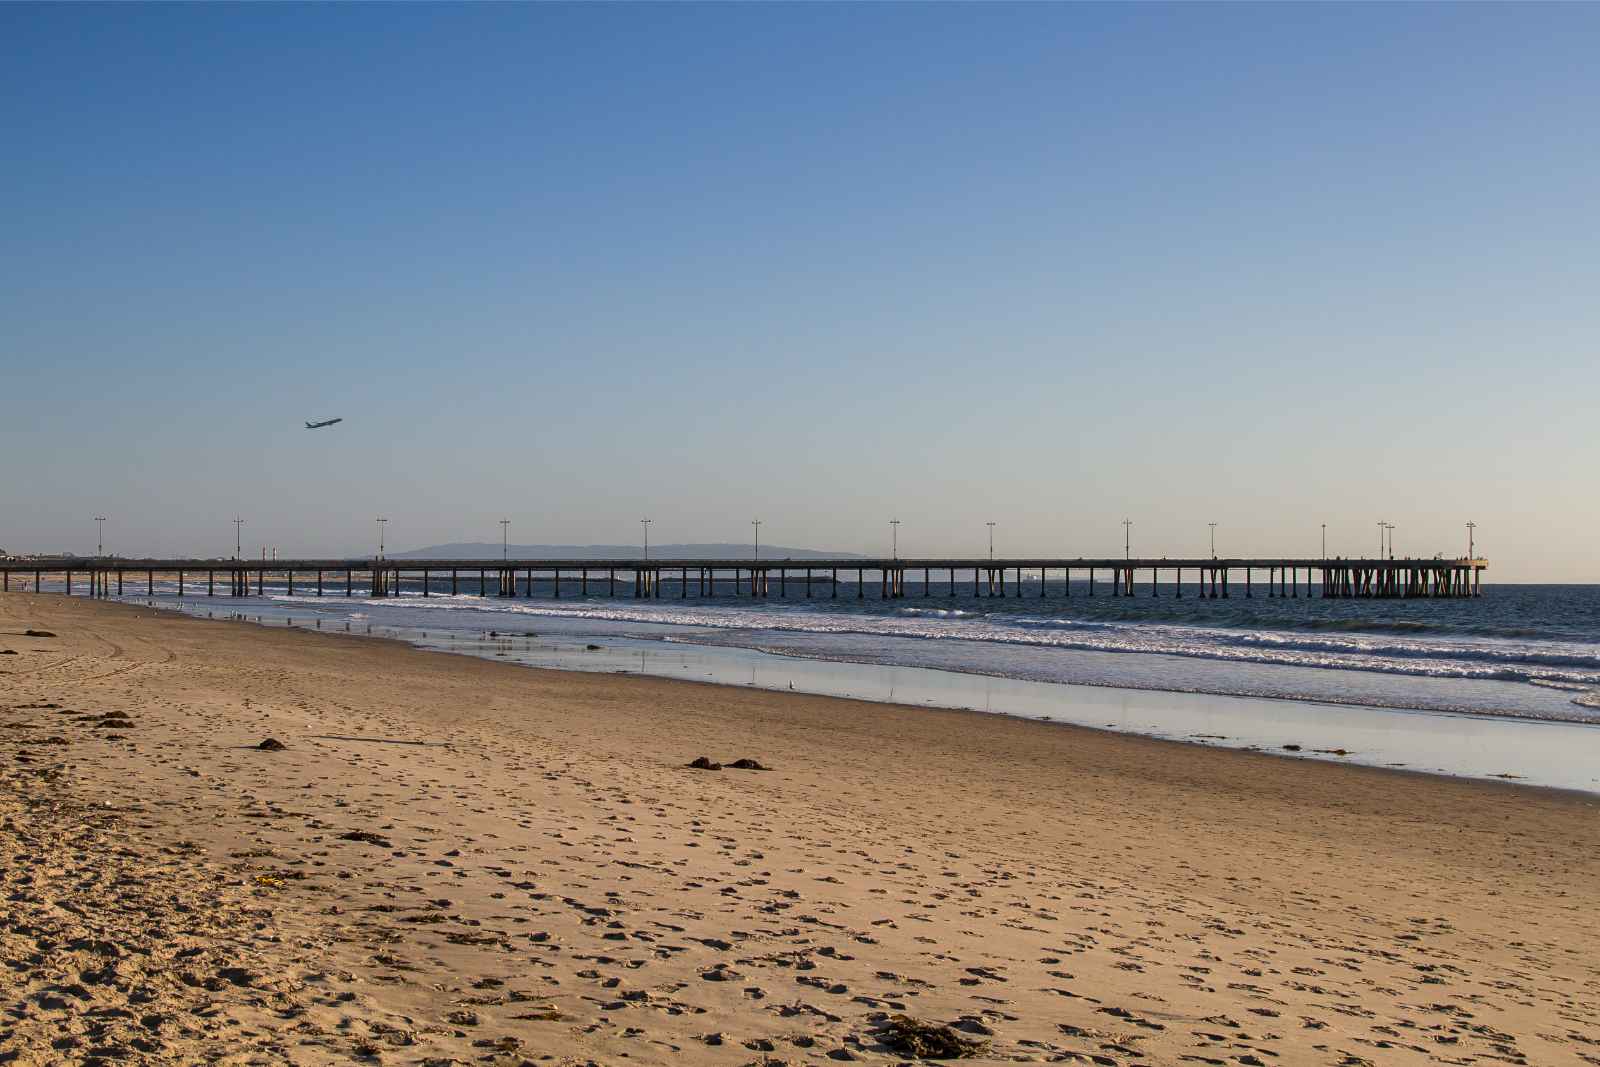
x=546 y=881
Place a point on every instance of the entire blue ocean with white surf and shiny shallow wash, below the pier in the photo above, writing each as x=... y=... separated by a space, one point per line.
x=1518 y=655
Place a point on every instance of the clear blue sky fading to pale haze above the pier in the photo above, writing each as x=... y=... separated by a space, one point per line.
x=823 y=265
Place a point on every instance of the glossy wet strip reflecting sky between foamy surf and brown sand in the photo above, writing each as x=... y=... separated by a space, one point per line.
x=1254 y=724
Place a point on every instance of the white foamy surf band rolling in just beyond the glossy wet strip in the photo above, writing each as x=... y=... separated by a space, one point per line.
x=1396 y=682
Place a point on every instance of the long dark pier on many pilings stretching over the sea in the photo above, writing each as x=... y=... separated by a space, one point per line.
x=654 y=580
